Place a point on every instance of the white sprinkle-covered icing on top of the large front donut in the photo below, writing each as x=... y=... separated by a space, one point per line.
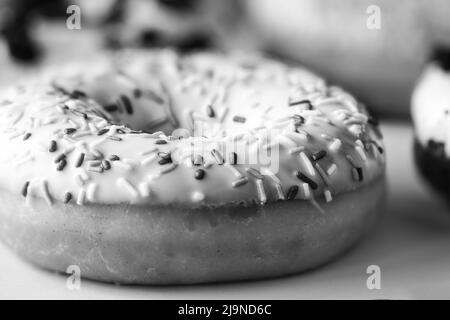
x=325 y=143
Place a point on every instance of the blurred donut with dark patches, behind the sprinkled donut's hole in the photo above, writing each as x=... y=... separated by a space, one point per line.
x=184 y=24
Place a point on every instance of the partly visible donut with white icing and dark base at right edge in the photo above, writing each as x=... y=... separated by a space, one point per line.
x=430 y=111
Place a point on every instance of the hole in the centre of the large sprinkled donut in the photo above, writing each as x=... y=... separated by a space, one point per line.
x=140 y=107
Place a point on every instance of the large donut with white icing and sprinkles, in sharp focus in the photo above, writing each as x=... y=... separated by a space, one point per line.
x=142 y=168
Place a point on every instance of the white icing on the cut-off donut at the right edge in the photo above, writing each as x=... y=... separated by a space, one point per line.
x=431 y=107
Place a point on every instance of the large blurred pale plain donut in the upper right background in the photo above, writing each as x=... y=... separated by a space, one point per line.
x=380 y=66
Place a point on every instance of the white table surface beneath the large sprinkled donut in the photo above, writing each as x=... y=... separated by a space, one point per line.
x=410 y=245
